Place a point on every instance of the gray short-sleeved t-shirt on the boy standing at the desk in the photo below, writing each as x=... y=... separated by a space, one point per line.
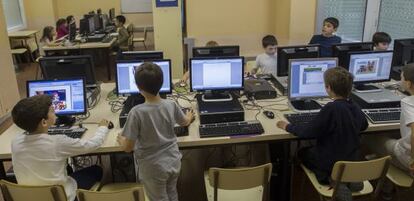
x=152 y=128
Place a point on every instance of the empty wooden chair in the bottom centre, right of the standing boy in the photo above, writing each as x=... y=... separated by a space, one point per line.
x=238 y=184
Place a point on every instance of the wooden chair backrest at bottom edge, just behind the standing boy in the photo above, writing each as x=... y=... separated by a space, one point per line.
x=131 y=194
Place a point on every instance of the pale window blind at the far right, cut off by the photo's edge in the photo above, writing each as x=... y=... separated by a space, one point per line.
x=397 y=18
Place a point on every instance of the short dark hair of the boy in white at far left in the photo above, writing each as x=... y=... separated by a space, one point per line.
x=28 y=112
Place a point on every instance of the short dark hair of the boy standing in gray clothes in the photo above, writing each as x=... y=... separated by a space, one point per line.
x=149 y=77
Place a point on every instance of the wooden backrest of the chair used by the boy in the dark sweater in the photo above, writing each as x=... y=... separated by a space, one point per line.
x=360 y=171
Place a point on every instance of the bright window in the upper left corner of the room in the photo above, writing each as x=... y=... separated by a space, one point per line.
x=14 y=14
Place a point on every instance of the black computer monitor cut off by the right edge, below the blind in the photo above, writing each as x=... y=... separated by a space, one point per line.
x=403 y=52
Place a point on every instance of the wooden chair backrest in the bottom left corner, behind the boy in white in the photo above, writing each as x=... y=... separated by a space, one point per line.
x=16 y=192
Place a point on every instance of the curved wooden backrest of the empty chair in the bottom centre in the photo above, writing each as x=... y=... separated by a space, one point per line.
x=240 y=178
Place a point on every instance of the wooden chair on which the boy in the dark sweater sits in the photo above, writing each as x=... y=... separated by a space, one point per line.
x=345 y=171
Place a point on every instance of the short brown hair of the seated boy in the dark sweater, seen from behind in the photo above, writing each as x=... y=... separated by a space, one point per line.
x=339 y=80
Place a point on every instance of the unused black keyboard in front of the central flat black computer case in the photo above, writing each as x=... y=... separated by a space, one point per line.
x=231 y=129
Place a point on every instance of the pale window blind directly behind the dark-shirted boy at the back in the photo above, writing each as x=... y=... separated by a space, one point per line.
x=351 y=16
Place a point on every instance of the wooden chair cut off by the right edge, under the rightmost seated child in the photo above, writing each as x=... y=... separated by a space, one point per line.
x=399 y=178
